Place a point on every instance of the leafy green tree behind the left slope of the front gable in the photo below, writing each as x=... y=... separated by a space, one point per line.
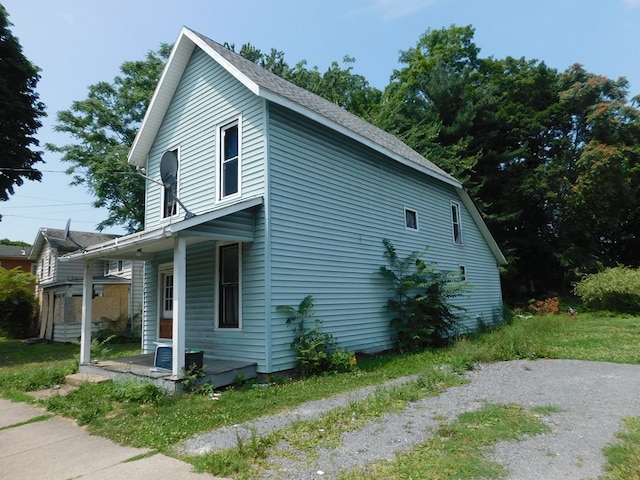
x=104 y=126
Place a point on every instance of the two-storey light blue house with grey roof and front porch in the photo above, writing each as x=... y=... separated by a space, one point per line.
x=281 y=194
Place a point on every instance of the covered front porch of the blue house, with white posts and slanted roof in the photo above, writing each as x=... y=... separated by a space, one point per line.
x=232 y=223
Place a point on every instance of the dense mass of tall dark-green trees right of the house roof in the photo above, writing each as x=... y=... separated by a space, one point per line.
x=551 y=158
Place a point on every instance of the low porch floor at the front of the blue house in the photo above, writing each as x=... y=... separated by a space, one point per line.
x=220 y=373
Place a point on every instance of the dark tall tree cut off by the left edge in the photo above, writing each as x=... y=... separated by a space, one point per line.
x=20 y=113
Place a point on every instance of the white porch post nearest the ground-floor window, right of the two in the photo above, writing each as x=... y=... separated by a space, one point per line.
x=179 y=300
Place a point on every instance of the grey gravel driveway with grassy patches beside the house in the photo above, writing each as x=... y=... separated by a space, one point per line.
x=592 y=398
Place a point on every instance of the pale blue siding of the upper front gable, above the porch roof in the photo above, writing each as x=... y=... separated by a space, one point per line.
x=206 y=98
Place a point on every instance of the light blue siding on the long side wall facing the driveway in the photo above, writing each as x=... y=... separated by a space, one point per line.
x=332 y=202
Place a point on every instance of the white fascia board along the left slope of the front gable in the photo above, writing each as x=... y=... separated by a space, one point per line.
x=161 y=99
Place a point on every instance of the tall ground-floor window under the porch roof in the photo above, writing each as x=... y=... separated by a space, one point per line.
x=229 y=292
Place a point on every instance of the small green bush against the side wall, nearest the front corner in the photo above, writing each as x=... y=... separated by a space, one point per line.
x=316 y=351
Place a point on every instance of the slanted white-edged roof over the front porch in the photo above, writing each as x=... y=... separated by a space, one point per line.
x=142 y=245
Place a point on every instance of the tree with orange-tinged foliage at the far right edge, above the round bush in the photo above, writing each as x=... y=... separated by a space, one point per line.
x=601 y=172
